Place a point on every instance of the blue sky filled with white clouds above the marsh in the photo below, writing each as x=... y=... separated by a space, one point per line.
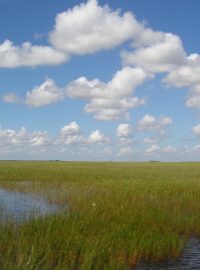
x=100 y=80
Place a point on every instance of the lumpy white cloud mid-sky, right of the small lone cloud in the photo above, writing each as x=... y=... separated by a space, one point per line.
x=110 y=101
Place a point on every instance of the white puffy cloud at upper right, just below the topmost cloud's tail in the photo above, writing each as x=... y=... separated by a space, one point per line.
x=161 y=56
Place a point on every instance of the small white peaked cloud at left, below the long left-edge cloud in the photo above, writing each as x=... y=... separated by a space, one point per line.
x=45 y=94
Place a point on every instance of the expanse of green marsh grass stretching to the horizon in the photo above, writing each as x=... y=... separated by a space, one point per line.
x=117 y=214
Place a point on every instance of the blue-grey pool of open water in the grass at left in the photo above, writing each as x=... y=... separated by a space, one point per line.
x=20 y=207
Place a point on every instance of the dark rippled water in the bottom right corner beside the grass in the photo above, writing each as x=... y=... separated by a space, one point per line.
x=190 y=259
